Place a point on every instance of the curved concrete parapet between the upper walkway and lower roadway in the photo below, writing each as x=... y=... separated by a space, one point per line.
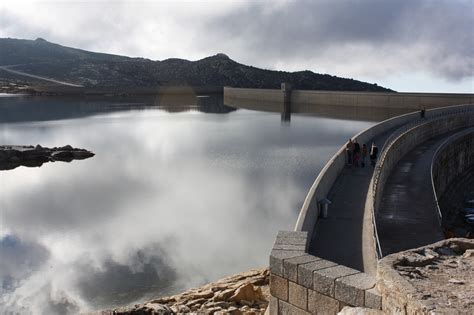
x=377 y=189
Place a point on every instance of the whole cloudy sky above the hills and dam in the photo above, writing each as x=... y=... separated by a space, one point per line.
x=407 y=45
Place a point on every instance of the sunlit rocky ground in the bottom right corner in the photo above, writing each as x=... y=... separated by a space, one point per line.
x=435 y=279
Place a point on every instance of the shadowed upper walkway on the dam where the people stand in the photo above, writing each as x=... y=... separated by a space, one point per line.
x=345 y=237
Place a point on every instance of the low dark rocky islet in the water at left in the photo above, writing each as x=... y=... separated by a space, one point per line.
x=33 y=156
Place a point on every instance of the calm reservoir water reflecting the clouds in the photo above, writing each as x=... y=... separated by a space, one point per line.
x=171 y=200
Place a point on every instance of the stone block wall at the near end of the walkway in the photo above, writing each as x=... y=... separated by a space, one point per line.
x=301 y=283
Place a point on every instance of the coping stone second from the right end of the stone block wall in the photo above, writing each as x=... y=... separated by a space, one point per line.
x=351 y=289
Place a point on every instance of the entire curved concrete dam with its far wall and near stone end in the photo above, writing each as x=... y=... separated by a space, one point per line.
x=337 y=260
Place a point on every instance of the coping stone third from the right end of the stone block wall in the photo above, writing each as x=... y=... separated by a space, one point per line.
x=324 y=279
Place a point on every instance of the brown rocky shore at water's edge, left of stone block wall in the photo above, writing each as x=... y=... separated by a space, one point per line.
x=245 y=293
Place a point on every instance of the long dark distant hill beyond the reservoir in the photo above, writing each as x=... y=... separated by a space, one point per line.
x=42 y=58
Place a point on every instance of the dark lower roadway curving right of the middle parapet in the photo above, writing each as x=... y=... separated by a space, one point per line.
x=407 y=216
